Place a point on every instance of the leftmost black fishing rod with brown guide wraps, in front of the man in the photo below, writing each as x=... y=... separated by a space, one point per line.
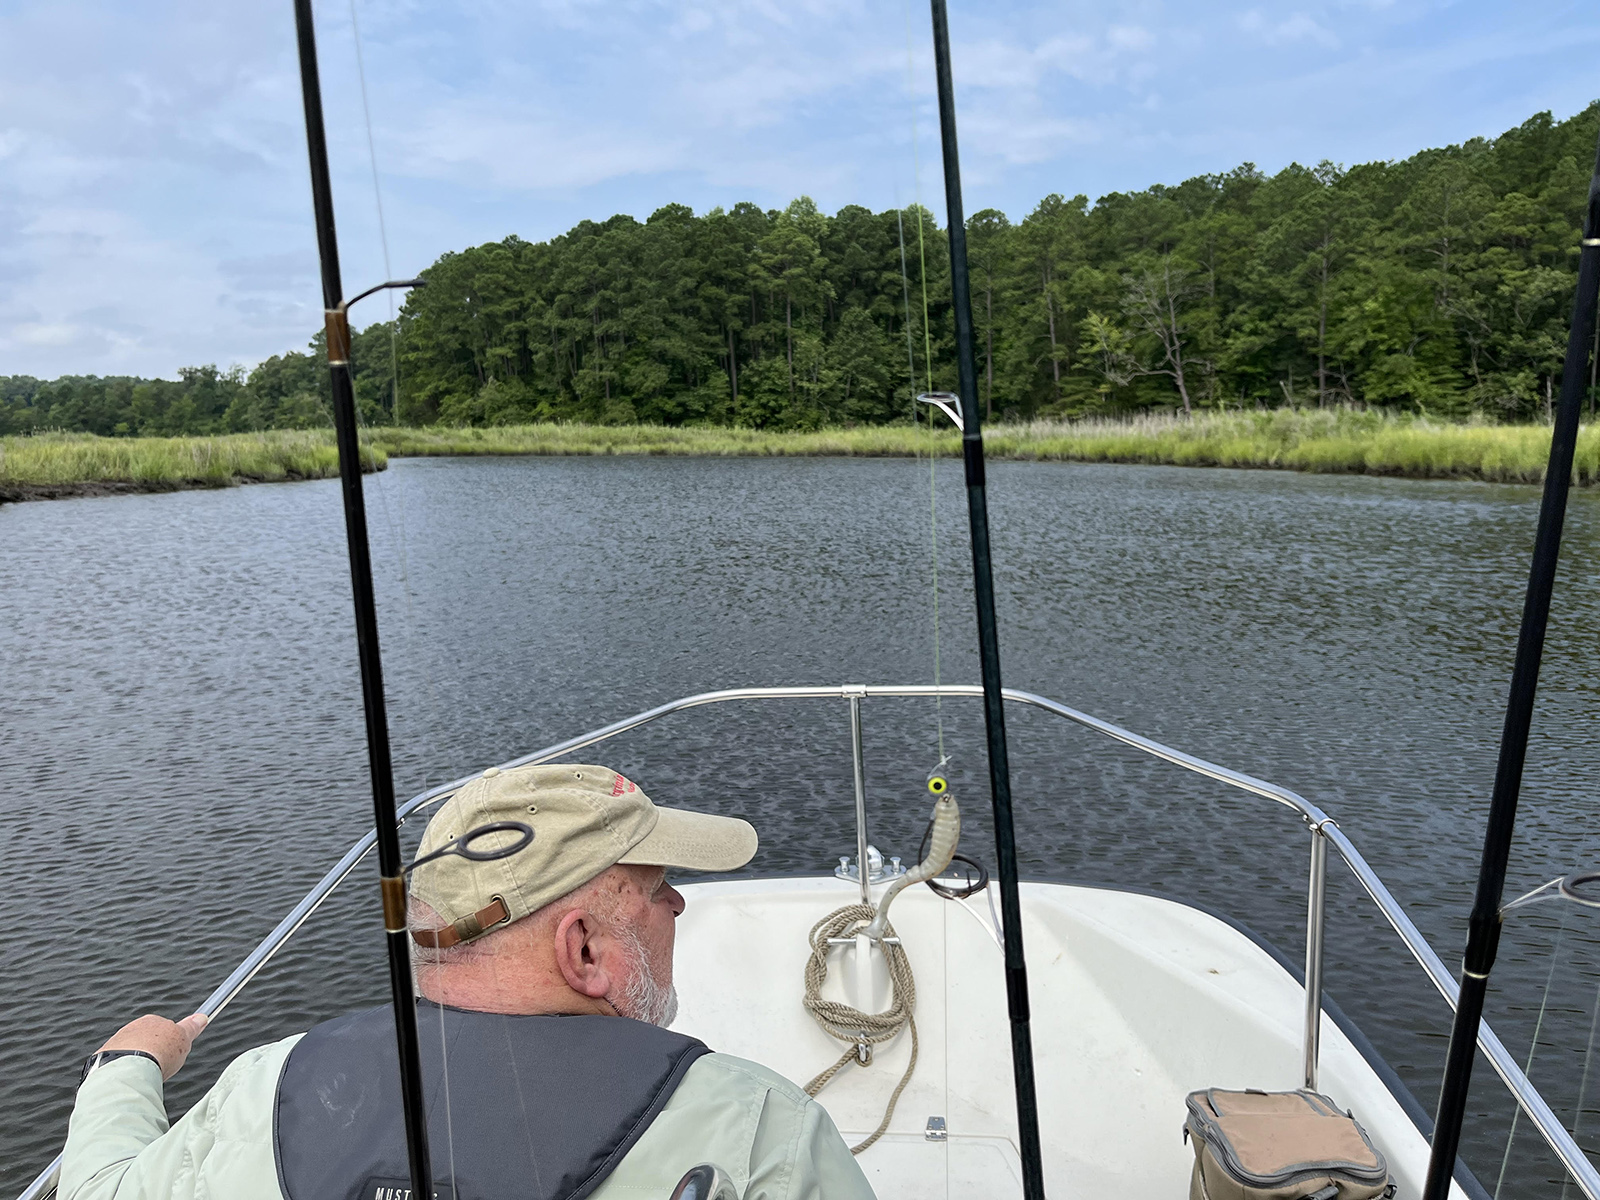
x=390 y=866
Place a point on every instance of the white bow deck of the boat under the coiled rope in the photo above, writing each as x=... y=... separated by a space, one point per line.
x=1137 y=1002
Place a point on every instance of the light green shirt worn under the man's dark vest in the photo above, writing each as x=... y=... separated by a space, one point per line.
x=761 y=1129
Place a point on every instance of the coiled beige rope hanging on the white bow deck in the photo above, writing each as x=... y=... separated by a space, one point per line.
x=850 y=1025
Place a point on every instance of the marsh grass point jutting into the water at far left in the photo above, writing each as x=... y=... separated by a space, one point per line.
x=81 y=463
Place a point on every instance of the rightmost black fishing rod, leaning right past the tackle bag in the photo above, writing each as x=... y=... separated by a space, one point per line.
x=1484 y=927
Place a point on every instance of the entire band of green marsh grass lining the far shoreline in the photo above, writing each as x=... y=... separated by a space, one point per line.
x=1324 y=441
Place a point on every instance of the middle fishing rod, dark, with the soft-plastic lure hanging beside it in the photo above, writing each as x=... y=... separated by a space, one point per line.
x=988 y=636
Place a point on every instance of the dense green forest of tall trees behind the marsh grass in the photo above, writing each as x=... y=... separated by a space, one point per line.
x=1434 y=286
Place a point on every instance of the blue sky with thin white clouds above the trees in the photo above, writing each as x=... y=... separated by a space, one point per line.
x=154 y=198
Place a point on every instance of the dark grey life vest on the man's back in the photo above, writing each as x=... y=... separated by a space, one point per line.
x=532 y=1108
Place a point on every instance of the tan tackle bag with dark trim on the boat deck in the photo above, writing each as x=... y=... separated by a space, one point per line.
x=1281 y=1146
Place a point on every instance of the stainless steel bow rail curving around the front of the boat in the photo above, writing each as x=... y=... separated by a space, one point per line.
x=1324 y=834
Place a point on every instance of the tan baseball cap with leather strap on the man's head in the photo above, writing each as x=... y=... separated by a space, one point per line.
x=585 y=820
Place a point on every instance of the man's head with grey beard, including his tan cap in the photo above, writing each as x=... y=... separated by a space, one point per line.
x=578 y=922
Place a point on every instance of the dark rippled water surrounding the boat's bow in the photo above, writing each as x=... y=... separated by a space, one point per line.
x=182 y=748
